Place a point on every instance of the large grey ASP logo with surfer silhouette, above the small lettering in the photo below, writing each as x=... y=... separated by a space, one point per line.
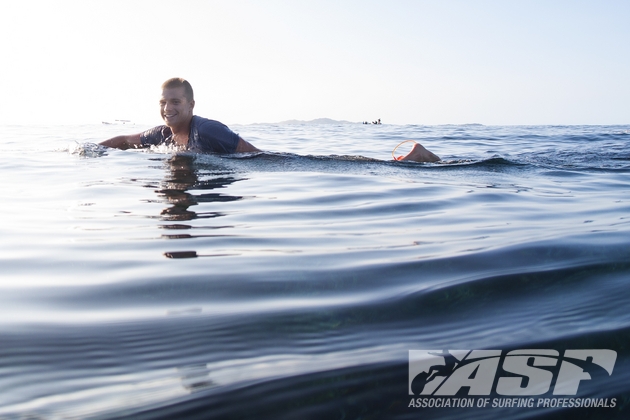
x=530 y=372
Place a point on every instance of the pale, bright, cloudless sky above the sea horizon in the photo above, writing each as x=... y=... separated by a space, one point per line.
x=492 y=62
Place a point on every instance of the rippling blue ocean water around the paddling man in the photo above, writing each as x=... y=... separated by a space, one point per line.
x=293 y=284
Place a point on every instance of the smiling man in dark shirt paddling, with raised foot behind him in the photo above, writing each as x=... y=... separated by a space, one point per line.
x=191 y=132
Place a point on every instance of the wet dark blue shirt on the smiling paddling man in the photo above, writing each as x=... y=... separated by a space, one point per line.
x=206 y=136
